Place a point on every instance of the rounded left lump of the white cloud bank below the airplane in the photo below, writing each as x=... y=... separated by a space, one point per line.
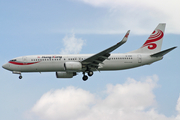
x=63 y=104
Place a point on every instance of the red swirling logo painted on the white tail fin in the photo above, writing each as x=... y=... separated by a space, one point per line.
x=155 y=36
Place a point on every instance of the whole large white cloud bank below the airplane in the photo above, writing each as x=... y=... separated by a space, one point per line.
x=131 y=100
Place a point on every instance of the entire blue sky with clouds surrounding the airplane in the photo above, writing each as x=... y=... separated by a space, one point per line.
x=34 y=27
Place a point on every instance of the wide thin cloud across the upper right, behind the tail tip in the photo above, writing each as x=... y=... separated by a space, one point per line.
x=138 y=15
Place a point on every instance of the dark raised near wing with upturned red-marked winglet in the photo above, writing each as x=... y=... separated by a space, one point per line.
x=93 y=61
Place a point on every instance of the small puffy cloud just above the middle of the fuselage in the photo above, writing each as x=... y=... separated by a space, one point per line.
x=72 y=44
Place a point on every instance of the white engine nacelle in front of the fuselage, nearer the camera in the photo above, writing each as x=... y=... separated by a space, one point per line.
x=73 y=66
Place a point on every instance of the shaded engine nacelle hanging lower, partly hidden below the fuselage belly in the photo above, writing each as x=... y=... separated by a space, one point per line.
x=65 y=74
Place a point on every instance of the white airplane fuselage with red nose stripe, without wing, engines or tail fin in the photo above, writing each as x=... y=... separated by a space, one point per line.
x=53 y=63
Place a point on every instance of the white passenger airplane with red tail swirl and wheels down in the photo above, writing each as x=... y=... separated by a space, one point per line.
x=67 y=66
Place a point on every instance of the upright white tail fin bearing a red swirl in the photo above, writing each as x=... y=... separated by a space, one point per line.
x=154 y=42
